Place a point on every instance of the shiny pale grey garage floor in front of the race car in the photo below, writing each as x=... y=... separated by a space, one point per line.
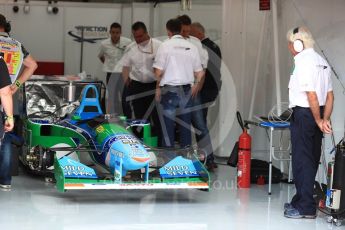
x=34 y=204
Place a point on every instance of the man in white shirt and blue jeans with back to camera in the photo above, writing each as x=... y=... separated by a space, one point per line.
x=178 y=71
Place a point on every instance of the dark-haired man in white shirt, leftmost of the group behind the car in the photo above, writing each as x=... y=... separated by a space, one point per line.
x=111 y=51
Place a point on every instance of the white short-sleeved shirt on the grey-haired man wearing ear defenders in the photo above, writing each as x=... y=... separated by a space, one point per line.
x=311 y=73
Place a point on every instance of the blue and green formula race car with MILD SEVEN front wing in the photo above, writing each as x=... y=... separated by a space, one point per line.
x=92 y=150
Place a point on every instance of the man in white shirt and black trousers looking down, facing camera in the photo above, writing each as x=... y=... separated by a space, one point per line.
x=138 y=76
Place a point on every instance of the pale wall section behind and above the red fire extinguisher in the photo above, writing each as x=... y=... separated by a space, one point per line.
x=242 y=26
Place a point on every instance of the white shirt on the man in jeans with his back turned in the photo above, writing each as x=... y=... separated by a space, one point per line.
x=179 y=60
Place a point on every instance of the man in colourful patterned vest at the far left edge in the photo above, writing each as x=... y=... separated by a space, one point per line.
x=16 y=57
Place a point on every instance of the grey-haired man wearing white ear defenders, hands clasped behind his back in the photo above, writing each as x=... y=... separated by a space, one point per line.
x=311 y=99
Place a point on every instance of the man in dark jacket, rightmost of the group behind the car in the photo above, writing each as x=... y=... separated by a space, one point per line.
x=212 y=80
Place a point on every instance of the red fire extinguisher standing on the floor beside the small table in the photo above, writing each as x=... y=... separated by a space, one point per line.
x=244 y=157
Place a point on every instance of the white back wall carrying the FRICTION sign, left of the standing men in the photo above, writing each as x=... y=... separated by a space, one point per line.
x=45 y=35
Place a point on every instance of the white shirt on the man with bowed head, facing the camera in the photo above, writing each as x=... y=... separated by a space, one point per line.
x=140 y=59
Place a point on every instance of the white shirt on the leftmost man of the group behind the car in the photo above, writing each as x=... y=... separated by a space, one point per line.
x=112 y=54
